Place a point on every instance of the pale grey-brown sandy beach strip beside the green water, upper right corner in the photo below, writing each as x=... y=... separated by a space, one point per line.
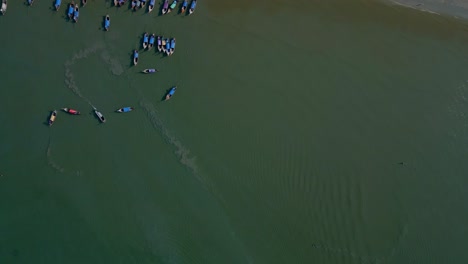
x=456 y=8
